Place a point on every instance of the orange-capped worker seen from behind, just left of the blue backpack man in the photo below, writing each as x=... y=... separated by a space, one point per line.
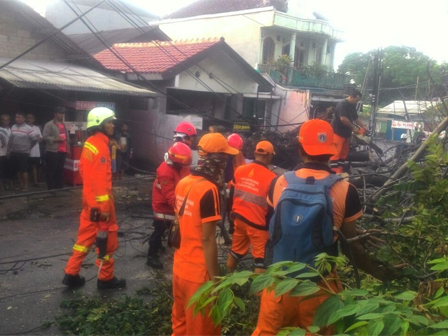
x=250 y=210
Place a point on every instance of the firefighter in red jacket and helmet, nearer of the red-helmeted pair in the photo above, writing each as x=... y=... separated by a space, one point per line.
x=168 y=175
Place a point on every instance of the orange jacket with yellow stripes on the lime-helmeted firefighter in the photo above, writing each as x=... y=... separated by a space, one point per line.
x=95 y=170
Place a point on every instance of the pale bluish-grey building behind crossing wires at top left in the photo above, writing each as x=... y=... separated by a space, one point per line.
x=105 y=17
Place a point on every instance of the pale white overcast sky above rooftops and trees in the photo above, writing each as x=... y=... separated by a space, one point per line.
x=366 y=24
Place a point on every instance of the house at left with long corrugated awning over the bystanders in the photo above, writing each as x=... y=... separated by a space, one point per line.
x=55 y=73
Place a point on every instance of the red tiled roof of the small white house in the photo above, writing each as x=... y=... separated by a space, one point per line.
x=154 y=57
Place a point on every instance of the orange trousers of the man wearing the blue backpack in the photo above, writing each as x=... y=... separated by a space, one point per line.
x=292 y=311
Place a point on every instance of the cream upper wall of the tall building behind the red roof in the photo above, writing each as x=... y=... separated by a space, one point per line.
x=241 y=32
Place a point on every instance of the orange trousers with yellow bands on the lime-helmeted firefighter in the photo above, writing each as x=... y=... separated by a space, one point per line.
x=86 y=238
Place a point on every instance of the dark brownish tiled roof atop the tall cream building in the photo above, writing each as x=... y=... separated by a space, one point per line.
x=207 y=7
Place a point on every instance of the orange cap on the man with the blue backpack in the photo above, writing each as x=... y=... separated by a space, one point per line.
x=317 y=138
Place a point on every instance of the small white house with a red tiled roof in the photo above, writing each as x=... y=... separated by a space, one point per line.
x=201 y=80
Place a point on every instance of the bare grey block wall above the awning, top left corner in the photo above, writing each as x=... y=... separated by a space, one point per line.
x=17 y=36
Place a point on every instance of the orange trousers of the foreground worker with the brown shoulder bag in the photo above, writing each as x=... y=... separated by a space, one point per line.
x=183 y=321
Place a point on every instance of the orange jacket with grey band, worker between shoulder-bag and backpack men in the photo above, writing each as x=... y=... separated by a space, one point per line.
x=250 y=188
